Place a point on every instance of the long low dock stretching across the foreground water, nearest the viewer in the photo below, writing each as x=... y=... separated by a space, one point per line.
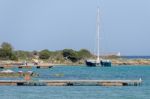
x=71 y=83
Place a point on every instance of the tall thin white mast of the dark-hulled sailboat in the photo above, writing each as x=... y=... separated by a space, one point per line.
x=98 y=38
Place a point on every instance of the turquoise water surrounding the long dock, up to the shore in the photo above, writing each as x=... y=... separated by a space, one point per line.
x=83 y=92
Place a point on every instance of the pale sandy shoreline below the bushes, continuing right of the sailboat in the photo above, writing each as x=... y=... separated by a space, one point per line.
x=115 y=62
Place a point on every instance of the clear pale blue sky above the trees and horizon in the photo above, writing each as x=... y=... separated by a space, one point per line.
x=59 y=24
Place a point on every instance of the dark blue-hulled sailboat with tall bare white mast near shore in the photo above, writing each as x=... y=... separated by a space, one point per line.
x=98 y=61
